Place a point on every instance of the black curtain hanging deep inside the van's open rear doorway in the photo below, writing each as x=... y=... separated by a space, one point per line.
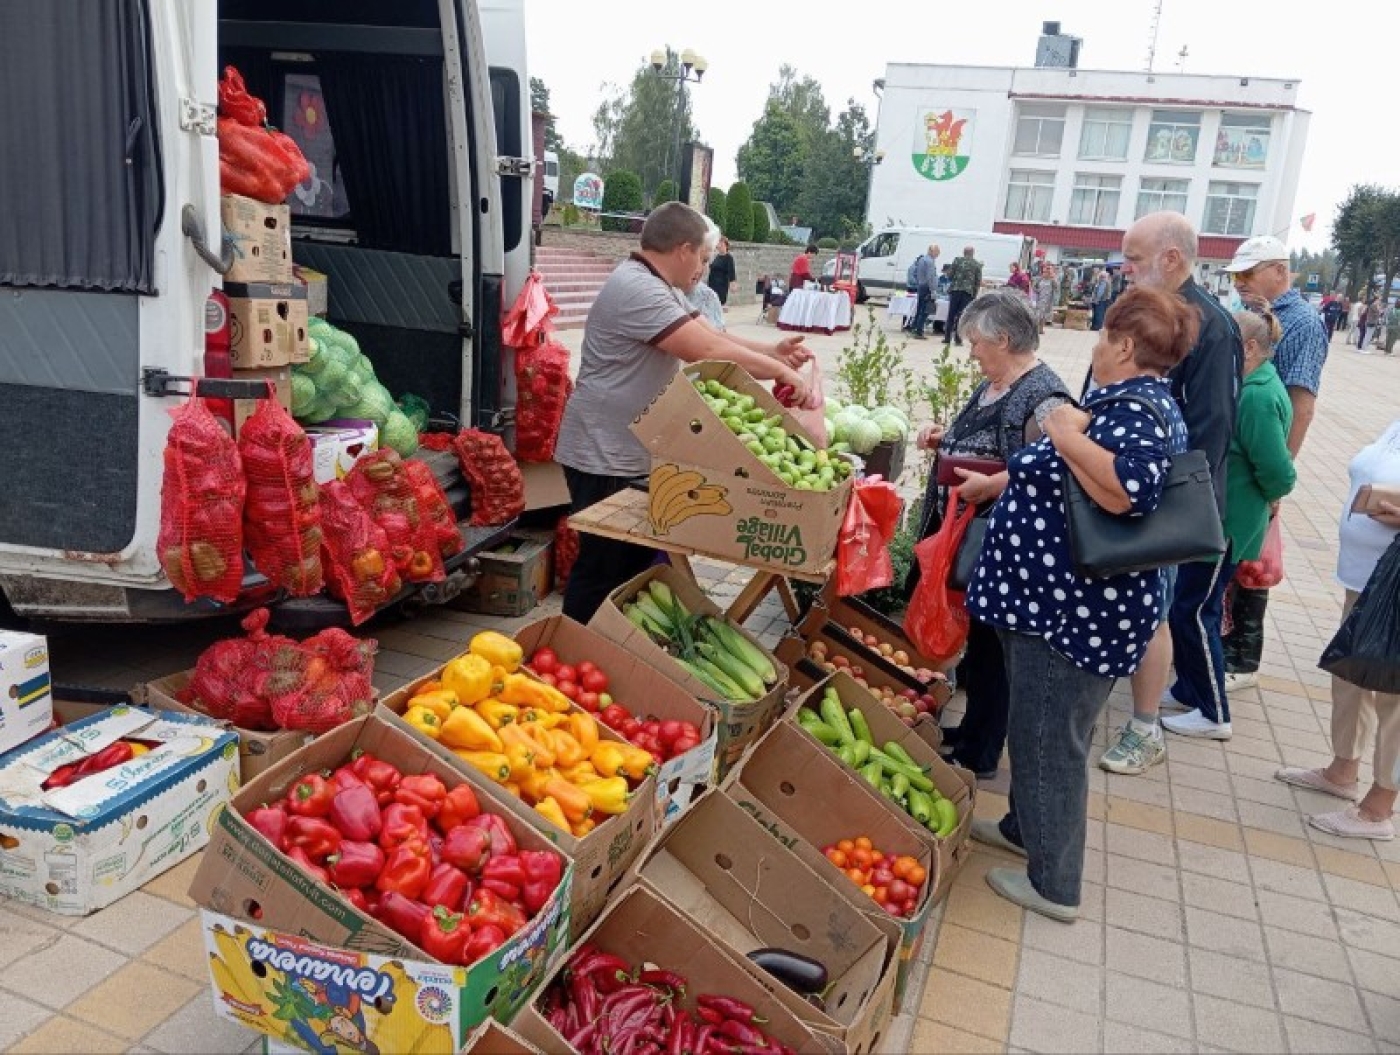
x=390 y=127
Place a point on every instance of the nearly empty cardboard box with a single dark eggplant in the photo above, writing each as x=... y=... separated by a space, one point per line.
x=719 y=868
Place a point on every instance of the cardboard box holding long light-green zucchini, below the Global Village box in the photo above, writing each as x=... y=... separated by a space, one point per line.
x=741 y=724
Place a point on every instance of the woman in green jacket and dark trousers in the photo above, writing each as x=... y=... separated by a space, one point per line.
x=1261 y=474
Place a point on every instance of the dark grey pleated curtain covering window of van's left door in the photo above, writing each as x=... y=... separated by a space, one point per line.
x=80 y=184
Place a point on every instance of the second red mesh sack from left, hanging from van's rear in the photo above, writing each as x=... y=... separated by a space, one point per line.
x=282 y=517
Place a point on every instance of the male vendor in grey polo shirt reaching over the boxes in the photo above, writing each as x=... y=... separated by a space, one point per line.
x=639 y=332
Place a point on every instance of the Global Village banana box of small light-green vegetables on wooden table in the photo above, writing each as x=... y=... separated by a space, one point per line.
x=736 y=476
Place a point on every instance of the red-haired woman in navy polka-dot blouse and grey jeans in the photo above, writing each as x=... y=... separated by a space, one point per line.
x=1066 y=636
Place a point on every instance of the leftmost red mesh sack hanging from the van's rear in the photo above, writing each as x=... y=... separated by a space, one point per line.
x=202 y=507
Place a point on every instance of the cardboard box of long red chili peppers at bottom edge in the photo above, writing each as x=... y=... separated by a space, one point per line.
x=646 y=975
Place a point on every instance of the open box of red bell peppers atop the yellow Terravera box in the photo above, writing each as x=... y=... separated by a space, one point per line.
x=367 y=843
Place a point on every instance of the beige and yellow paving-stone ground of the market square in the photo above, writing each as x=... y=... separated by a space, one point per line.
x=1214 y=919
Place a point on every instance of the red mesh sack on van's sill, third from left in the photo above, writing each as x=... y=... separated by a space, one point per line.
x=356 y=555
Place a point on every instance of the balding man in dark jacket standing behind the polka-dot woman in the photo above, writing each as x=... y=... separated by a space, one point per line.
x=1160 y=254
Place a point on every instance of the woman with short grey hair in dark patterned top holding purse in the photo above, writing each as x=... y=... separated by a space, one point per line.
x=1004 y=413
